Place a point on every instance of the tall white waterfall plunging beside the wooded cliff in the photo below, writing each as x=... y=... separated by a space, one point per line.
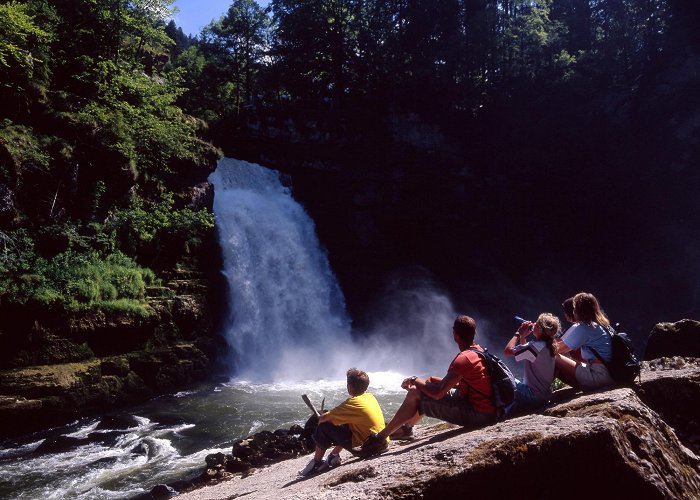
x=287 y=312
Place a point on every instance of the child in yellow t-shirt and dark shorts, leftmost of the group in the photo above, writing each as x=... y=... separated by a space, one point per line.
x=347 y=425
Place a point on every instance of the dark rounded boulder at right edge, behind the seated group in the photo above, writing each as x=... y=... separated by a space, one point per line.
x=681 y=338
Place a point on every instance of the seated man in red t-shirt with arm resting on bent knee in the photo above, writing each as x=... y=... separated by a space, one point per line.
x=461 y=397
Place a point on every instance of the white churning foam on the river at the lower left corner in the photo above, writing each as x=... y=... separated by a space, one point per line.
x=143 y=455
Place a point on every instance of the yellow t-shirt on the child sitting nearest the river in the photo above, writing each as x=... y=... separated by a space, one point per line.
x=362 y=414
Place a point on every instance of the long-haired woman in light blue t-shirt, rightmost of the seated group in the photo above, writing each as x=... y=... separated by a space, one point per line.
x=590 y=335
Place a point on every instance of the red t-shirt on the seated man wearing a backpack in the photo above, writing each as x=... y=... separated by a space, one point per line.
x=475 y=384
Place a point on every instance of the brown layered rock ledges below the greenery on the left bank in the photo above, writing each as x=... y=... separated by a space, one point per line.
x=68 y=366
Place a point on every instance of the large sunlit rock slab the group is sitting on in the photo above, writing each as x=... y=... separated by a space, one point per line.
x=602 y=445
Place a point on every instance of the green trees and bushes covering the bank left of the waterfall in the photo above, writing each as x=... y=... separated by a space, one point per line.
x=92 y=142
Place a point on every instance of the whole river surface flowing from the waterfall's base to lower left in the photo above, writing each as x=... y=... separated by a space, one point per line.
x=164 y=440
